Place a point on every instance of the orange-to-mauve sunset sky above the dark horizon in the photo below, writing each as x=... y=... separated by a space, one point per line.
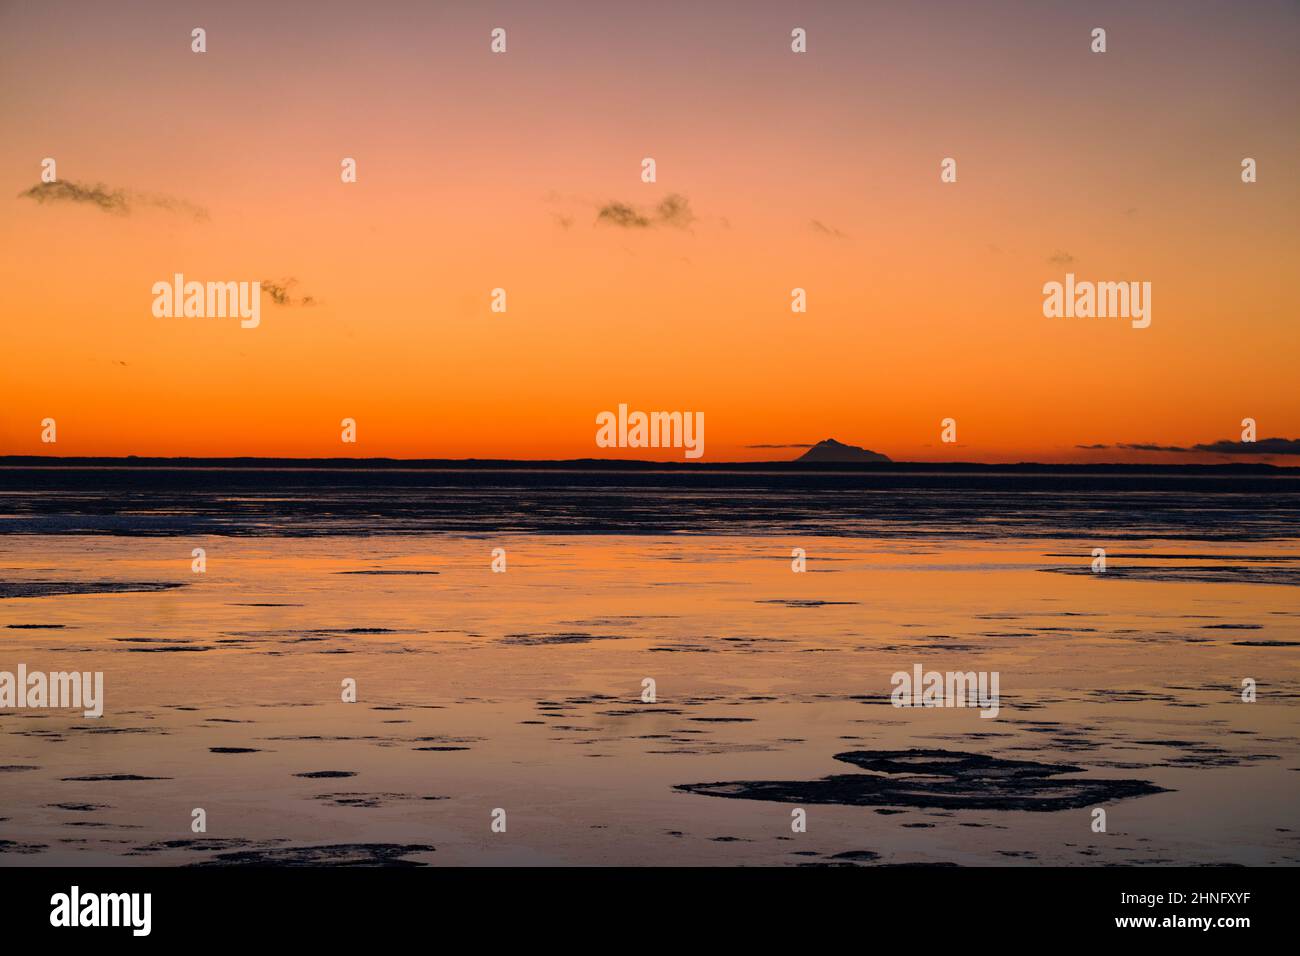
x=480 y=171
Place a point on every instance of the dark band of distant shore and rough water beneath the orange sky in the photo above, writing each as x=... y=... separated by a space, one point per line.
x=310 y=498
